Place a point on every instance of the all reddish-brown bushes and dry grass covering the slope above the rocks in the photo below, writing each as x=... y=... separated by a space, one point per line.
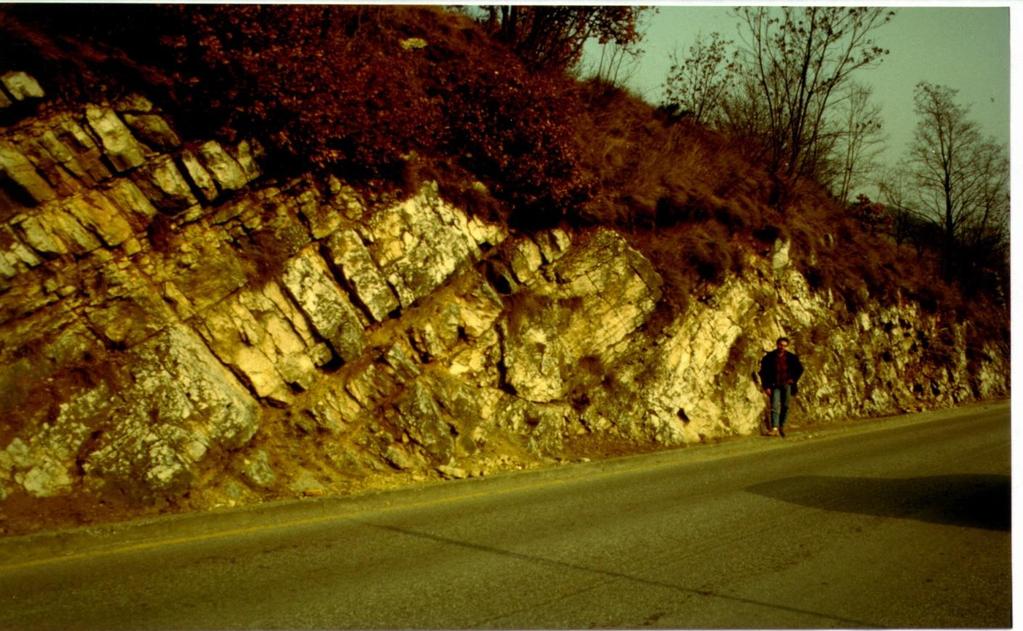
x=387 y=98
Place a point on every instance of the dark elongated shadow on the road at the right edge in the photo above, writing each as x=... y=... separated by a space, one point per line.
x=974 y=502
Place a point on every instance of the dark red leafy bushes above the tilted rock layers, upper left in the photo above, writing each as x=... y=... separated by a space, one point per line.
x=357 y=91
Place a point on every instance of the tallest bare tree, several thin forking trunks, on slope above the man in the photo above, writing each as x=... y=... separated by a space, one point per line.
x=800 y=58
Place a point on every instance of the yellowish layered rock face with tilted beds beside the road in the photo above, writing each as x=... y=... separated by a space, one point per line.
x=175 y=327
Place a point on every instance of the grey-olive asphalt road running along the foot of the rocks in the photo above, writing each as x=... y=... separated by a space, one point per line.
x=904 y=523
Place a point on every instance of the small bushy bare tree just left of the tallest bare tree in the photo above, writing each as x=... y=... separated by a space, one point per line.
x=697 y=84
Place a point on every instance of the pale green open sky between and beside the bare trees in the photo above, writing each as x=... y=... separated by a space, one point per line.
x=964 y=48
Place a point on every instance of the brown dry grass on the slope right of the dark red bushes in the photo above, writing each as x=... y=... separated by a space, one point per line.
x=695 y=205
